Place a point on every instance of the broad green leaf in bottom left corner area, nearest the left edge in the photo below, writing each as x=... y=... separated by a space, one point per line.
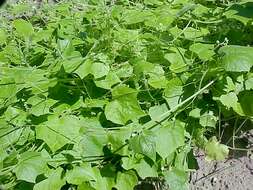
x=30 y=165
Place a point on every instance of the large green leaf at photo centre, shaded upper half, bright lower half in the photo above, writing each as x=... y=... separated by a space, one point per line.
x=124 y=106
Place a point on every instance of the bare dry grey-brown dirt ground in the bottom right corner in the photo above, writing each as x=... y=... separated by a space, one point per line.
x=232 y=174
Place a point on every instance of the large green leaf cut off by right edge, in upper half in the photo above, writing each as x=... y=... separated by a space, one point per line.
x=236 y=58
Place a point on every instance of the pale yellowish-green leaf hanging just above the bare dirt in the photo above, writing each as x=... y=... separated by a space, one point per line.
x=215 y=151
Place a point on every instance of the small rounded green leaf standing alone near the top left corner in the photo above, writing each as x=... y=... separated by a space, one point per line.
x=23 y=28
